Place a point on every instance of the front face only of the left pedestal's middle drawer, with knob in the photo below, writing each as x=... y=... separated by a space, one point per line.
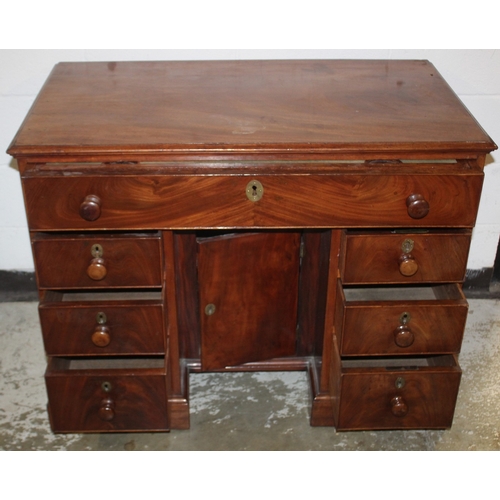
x=106 y=329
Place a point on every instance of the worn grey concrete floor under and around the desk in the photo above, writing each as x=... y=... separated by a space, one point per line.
x=247 y=411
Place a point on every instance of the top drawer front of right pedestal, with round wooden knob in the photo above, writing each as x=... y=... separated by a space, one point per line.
x=405 y=258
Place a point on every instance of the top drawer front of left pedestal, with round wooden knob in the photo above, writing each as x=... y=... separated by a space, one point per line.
x=97 y=262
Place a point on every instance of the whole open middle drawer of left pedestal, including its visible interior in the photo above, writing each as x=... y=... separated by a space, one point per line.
x=102 y=323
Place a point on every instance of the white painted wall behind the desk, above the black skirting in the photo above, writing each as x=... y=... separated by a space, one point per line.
x=473 y=74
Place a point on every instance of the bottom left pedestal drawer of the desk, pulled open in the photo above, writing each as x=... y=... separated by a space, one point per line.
x=107 y=395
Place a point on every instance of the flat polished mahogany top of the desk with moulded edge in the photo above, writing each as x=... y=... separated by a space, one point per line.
x=241 y=107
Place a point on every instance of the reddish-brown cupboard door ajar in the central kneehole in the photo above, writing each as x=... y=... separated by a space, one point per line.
x=248 y=285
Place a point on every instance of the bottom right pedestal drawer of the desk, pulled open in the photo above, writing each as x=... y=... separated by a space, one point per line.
x=413 y=393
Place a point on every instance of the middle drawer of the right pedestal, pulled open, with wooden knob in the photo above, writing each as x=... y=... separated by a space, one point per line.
x=380 y=328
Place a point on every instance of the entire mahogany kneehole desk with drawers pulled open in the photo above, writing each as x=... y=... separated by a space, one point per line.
x=250 y=215
